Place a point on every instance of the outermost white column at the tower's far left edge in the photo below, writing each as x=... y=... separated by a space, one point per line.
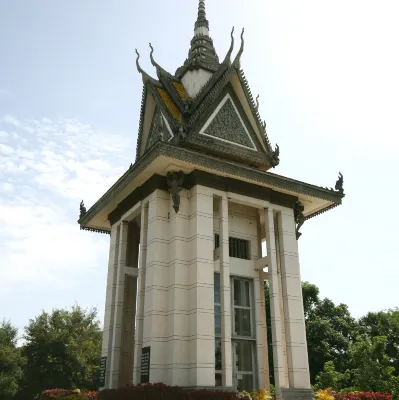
x=110 y=300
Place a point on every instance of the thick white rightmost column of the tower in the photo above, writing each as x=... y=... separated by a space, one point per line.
x=297 y=354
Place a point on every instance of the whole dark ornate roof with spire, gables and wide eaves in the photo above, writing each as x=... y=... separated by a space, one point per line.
x=217 y=132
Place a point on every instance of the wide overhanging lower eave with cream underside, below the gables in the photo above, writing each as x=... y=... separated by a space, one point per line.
x=156 y=161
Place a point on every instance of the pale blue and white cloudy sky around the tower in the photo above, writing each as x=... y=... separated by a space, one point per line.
x=327 y=75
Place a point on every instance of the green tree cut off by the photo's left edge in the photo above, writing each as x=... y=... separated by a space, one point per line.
x=11 y=362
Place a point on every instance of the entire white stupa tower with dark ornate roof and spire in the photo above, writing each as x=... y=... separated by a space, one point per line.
x=188 y=221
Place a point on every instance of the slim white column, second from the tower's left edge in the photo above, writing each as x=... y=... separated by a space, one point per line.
x=118 y=308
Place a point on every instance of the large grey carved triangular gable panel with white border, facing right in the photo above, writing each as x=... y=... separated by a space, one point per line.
x=226 y=124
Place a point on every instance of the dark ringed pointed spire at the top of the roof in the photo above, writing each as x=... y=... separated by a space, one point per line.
x=202 y=53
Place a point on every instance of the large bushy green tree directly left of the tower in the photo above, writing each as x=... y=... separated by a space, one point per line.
x=63 y=350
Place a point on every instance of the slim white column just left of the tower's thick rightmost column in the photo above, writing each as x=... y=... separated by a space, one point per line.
x=275 y=306
